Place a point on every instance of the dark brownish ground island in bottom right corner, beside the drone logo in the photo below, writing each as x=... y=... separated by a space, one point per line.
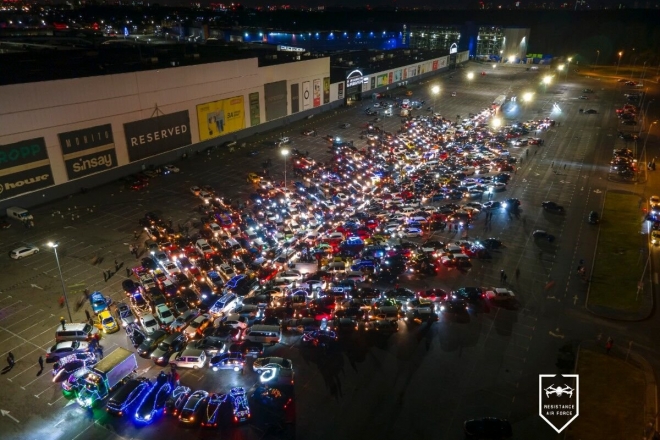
x=617 y=396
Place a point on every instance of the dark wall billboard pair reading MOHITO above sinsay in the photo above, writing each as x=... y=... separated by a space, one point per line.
x=88 y=151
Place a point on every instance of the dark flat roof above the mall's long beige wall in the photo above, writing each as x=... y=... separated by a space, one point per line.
x=52 y=58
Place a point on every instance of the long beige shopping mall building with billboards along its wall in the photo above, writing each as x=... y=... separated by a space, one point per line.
x=57 y=137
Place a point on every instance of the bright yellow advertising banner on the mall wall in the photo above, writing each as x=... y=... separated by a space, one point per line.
x=218 y=118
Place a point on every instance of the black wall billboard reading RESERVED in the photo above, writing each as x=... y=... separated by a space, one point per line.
x=152 y=136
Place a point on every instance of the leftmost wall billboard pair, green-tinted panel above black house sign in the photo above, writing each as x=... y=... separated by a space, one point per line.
x=24 y=167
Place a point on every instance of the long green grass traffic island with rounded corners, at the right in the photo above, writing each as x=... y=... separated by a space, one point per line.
x=617 y=288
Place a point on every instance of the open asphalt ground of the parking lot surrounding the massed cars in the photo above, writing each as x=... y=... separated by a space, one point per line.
x=421 y=382
